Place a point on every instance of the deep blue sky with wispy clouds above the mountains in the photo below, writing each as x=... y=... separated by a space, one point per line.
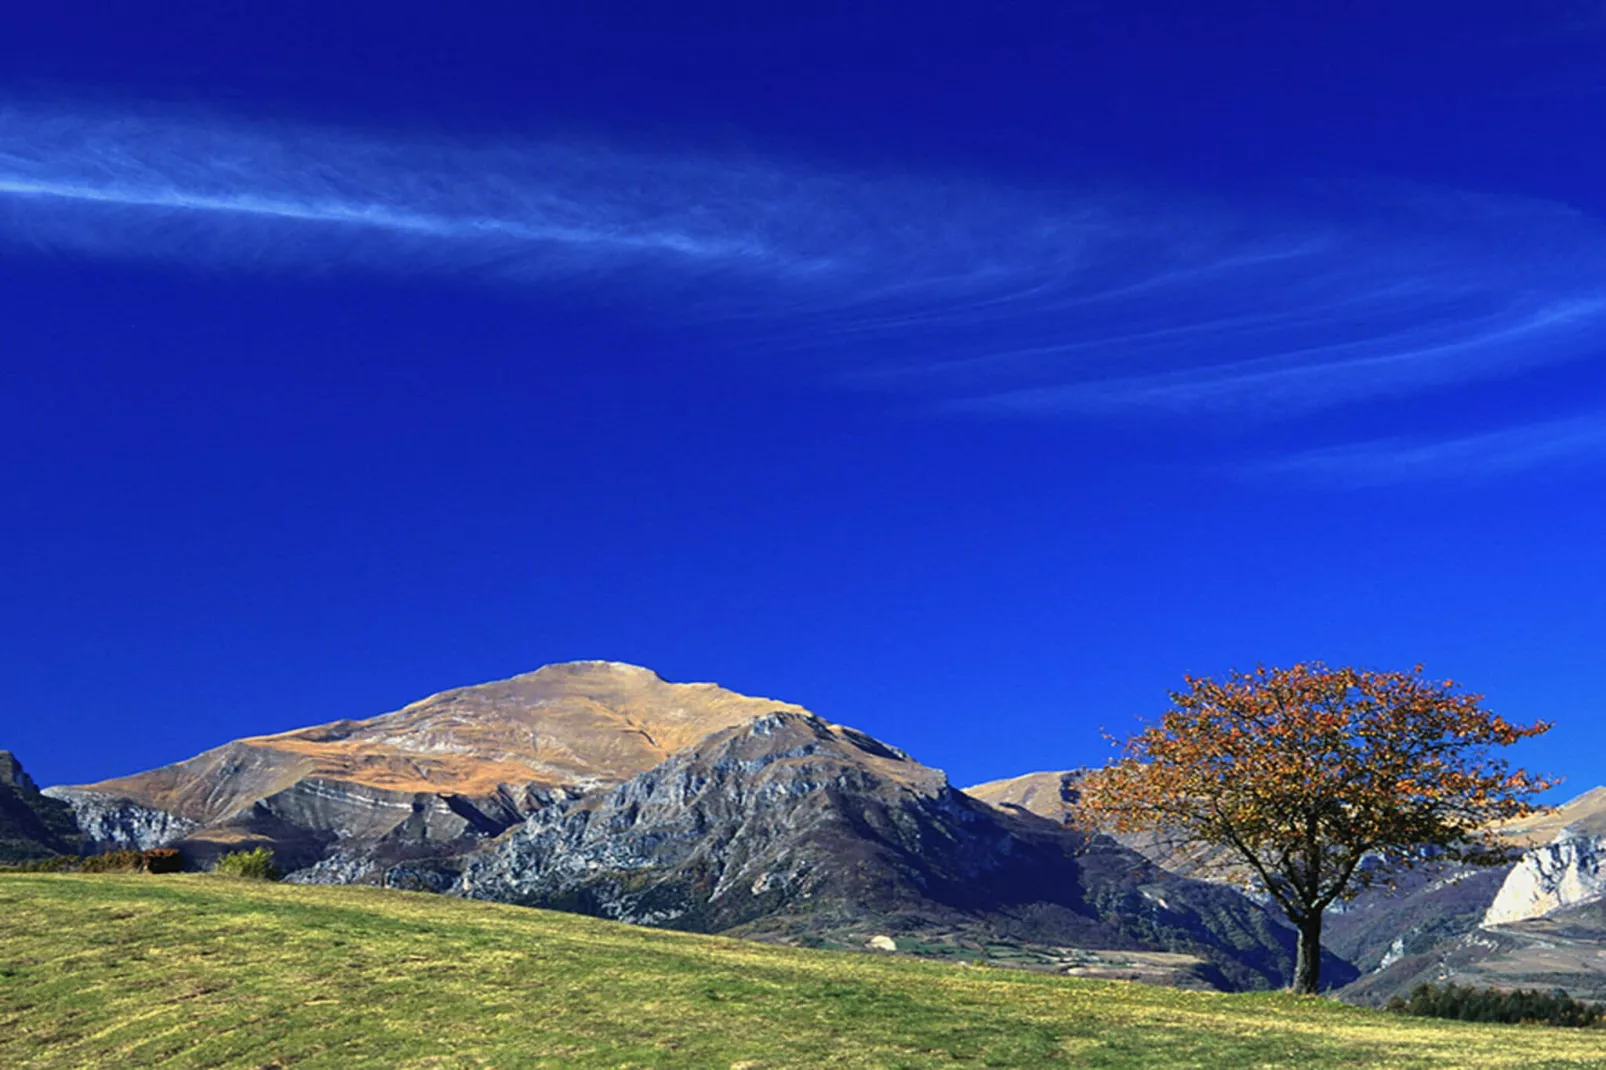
x=966 y=375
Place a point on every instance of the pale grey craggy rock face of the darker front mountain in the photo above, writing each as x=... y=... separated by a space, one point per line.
x=714 y=836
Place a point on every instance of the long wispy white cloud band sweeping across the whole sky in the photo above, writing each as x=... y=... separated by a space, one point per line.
x=955 y=293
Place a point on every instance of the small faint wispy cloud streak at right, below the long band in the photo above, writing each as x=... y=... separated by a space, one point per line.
x=1551 y=447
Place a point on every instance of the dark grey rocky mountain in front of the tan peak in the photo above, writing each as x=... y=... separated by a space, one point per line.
x=791 y=828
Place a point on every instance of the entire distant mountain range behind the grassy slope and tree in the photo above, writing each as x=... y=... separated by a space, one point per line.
x=601 y=788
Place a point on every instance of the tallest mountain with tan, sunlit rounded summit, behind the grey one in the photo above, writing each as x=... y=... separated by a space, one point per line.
x=431 y=778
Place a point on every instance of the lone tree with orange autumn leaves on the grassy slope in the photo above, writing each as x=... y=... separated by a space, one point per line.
x=1323 y=782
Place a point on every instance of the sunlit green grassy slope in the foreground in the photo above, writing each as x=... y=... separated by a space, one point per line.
x=195 y=971
